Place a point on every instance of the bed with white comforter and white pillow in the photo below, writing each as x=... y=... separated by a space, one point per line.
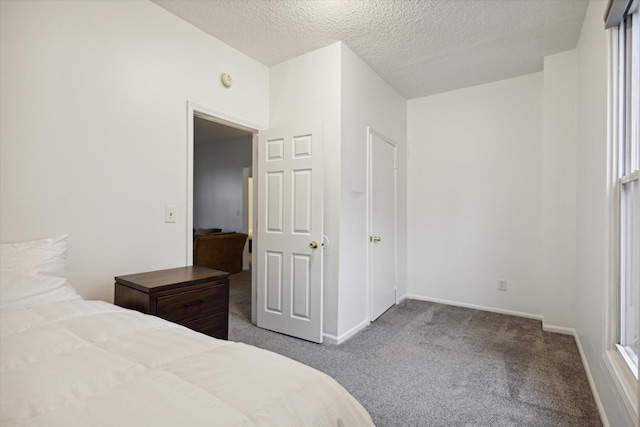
x=65 y=361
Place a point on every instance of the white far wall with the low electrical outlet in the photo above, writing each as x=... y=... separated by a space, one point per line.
x=474 y=195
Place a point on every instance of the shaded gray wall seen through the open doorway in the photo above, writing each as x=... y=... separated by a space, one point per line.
x=218 y=183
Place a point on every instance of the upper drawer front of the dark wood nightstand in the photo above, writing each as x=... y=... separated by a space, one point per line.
x=192 y=304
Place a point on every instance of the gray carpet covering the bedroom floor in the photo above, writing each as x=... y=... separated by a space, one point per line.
x=427 y=364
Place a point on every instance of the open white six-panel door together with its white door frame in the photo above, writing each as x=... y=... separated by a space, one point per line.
x=299 y=150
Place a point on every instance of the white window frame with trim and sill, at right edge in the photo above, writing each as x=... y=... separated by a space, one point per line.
x=623 y=121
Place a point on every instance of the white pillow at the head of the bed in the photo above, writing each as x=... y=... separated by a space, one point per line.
x=34 y=273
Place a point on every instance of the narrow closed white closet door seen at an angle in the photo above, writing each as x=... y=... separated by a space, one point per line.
x=382 y=214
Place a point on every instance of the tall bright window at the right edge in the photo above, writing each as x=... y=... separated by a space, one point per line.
x=626 y=153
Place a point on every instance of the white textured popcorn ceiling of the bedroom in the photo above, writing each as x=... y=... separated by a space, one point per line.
x=419 y=47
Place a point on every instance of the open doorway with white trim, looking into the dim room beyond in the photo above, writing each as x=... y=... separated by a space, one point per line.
x=220 y=157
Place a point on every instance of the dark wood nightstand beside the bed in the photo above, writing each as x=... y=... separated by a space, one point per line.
x=196 y=297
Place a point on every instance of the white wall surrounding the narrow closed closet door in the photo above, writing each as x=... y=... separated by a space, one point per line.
x=367 y=100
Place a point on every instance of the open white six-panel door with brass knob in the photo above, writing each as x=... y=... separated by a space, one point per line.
x=290 y=229
